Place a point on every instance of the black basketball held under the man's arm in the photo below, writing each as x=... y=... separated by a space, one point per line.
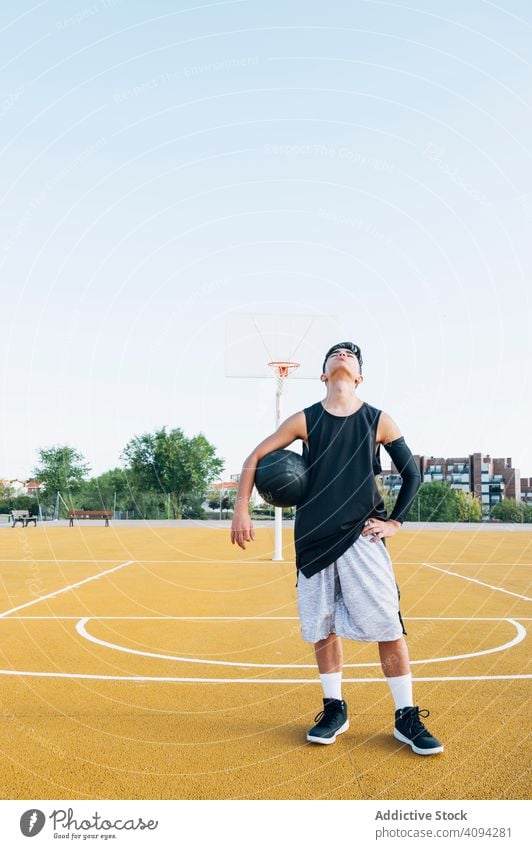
x=281 y=478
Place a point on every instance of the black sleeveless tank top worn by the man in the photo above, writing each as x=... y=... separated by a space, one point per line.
x=342 y=491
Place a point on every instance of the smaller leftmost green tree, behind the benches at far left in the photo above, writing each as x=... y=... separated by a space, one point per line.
x=61 y=469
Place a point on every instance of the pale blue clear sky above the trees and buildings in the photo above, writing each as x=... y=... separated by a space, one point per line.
x=165 y=163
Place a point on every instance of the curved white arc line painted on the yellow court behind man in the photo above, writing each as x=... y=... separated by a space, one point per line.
x=83 y=632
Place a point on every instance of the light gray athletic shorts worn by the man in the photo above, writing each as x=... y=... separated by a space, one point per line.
x=355 y=597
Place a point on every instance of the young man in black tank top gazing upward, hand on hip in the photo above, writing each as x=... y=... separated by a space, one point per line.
x=346 y=586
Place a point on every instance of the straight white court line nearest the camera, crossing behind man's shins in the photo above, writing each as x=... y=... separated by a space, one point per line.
x=128 y=678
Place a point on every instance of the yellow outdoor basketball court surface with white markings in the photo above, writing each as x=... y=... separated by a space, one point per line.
x=164 y=663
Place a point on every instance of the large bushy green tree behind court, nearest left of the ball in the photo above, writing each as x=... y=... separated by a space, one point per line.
x=172 y=464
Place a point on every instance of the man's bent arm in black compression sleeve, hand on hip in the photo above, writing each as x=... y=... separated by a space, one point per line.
x=389 y=435
